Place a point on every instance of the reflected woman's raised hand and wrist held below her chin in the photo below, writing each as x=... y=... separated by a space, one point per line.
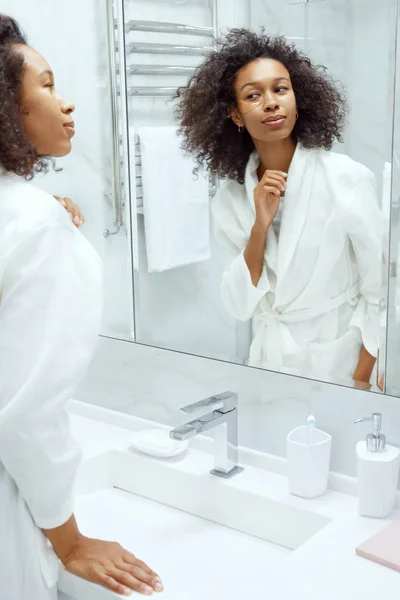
x=267 y=195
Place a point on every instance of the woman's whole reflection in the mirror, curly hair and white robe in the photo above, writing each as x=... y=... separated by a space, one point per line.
x=302 y=223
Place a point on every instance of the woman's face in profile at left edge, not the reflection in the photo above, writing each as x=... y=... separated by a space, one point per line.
x=46 y=115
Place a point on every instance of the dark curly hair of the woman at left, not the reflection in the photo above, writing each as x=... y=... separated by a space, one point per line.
x=17 y=154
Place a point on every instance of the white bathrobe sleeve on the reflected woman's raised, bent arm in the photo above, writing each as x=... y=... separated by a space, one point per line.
x=232 y=226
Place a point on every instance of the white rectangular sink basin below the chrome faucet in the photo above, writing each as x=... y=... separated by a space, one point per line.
x=207 y=537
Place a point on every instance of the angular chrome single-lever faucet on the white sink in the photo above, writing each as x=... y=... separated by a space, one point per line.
x=223 y=417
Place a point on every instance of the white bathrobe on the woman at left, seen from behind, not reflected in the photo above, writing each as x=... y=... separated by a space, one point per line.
x=50 y=305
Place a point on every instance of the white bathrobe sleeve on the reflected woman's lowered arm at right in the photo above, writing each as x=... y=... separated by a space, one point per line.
x=365 y=229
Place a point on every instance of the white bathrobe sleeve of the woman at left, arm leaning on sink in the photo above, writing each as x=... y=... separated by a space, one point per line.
x=49 y=320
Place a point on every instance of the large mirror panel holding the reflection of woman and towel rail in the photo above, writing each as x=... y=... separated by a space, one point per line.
x=313 y=300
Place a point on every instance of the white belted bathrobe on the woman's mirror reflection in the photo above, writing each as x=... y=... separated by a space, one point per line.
x=318 y=297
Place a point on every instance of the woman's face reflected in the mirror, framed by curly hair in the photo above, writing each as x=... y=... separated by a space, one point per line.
x=266 y=104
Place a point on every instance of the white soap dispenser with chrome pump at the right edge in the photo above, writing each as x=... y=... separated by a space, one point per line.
x=378 y=472
